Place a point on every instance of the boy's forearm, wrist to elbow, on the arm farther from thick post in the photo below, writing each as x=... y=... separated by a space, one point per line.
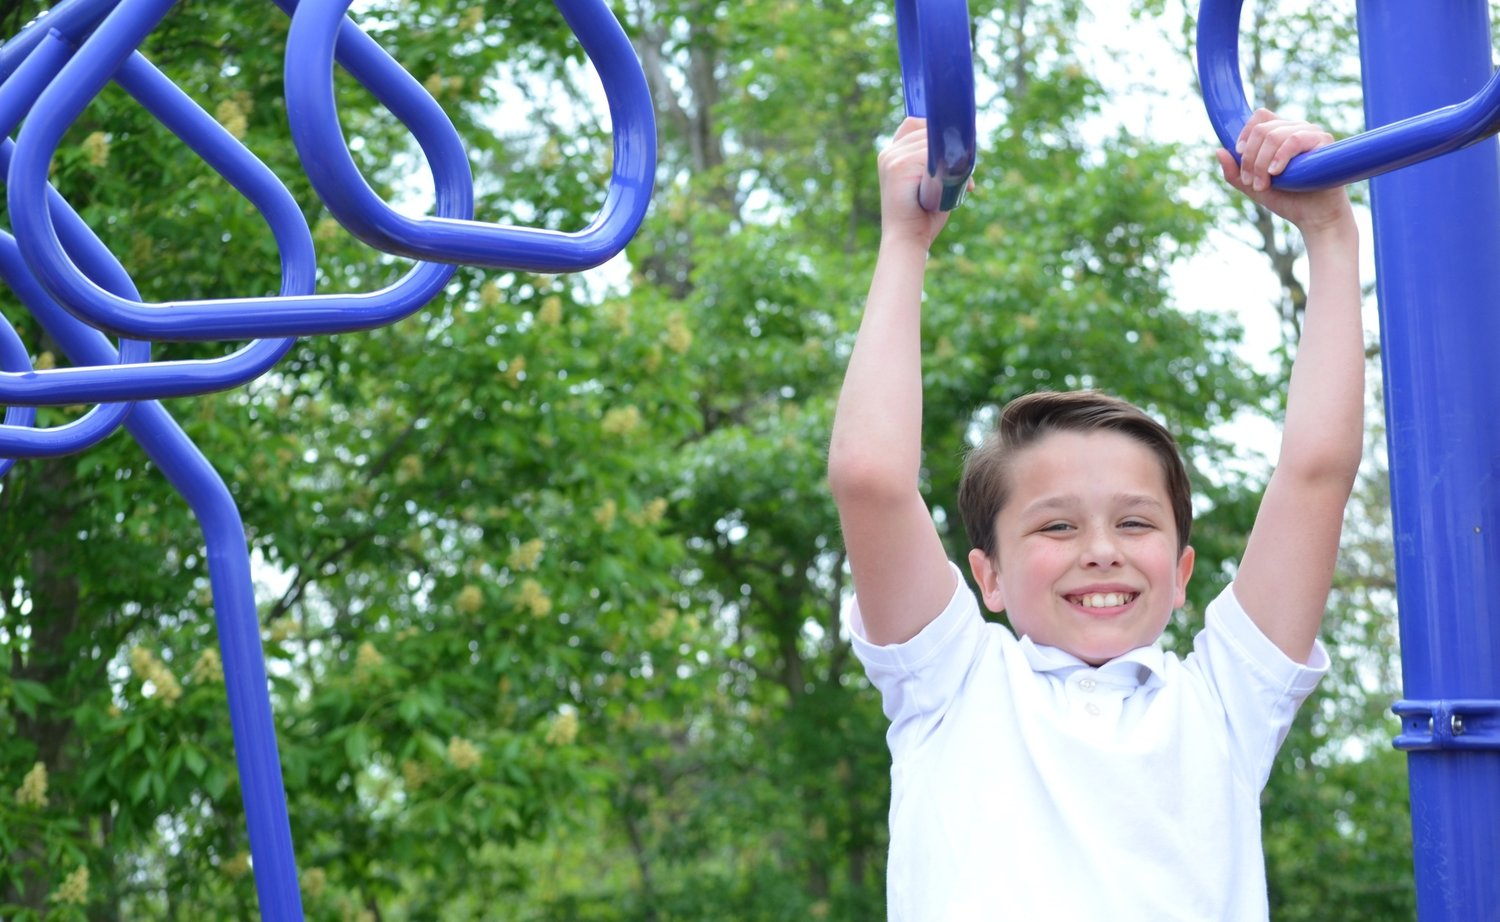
x=877 y=439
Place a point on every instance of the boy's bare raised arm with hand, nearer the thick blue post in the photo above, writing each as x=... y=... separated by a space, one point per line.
x=1288 y=570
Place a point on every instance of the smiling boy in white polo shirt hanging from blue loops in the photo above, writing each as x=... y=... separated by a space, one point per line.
x=1073 y=770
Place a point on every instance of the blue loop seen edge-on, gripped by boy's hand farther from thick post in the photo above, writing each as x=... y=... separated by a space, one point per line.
x=938 y=80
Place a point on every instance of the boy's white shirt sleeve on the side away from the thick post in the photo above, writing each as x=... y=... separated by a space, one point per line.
x=919 y=680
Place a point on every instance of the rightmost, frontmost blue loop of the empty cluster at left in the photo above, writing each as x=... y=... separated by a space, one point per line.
x=313 y=112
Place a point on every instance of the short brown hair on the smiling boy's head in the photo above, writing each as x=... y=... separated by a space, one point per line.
x=985 y=486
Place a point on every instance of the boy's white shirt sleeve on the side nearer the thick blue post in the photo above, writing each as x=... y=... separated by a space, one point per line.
x=1259 y=687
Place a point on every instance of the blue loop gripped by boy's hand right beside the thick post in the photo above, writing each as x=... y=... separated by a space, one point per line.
x=1348 y=161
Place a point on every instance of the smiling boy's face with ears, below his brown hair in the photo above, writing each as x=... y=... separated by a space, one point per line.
x=1087 y=546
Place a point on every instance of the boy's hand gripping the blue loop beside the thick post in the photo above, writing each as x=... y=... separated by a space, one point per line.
x=1267 y=146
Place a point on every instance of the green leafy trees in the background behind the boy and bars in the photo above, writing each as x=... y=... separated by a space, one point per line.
x=550 y=584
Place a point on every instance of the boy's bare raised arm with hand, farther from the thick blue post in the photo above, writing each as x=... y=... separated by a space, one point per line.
x=901 y=570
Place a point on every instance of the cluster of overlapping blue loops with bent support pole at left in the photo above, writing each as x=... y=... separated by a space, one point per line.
x=79 y=292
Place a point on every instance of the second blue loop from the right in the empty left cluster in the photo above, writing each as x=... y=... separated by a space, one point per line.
x=112 y=47
